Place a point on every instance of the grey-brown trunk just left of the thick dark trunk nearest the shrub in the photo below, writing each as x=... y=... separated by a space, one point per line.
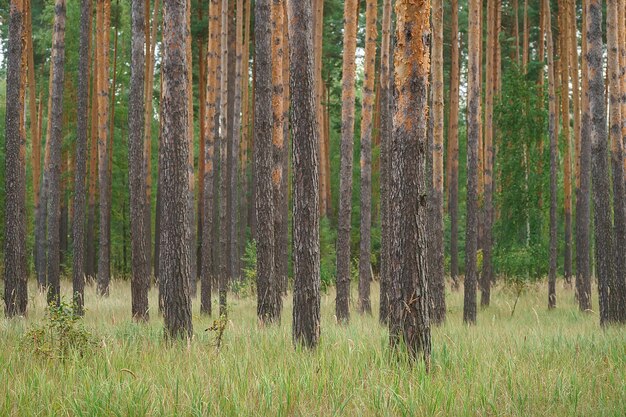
x=140 y=282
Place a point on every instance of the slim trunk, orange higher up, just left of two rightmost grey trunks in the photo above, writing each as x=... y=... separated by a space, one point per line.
x=583 y=192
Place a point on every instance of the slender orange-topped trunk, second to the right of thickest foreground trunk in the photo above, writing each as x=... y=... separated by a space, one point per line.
x=453 y=148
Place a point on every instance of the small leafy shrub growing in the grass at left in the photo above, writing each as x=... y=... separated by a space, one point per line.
x=60 y=336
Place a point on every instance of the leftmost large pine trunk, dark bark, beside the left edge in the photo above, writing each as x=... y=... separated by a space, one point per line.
x=15 y=254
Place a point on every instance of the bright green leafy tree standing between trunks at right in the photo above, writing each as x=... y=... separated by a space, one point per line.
x=522 y=171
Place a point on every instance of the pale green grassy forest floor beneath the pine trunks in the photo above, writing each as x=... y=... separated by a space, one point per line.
x=536 y=363
